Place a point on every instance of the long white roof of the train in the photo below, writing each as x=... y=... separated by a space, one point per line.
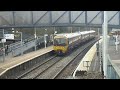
x=71 y=35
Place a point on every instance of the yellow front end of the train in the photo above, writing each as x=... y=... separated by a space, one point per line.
x=60 y=45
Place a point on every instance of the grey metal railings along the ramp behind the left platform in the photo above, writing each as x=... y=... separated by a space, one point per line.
x=28 y=45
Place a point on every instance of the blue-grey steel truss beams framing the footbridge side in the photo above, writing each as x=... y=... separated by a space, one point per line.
x=54 y=24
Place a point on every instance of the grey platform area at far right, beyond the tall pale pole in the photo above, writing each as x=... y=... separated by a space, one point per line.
x=113 y=60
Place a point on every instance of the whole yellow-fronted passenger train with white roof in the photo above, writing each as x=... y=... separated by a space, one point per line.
x=63 y=43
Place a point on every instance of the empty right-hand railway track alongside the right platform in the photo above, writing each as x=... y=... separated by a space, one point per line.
x=69 y=69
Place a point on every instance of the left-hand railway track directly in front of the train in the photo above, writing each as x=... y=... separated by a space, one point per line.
x=39 y=69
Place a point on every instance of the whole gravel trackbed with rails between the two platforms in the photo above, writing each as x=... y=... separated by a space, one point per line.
x=56 y=67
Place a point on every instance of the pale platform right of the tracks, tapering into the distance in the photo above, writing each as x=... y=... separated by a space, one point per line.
x=89 y=64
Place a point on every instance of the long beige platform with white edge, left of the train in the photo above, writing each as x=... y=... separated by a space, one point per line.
x=15 y=61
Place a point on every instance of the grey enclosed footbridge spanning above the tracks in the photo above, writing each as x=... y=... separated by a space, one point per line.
x=31 y=19
